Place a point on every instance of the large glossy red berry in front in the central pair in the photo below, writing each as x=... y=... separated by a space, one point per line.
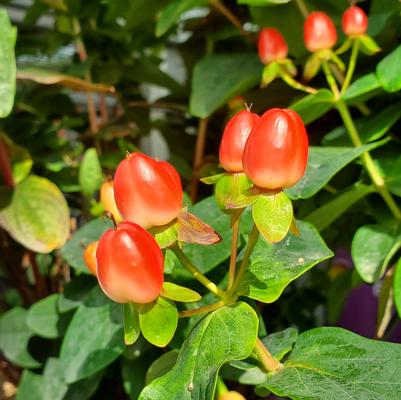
x=276 y=152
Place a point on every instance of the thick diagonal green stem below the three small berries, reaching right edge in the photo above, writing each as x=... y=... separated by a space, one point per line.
x=367 y=160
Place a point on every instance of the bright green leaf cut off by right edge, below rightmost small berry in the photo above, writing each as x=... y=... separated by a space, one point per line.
x=389 y=71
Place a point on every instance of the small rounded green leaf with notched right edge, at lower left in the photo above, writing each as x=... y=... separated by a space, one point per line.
x=44 y=319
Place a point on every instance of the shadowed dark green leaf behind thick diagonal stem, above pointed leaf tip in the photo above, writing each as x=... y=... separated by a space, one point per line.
x=371 y=128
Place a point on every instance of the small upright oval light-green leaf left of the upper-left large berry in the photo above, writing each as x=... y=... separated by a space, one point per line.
x=90 y=173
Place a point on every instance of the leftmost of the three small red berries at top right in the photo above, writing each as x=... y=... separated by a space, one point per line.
x=271 y=45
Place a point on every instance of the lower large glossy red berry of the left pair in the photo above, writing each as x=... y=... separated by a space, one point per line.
x=129 y=264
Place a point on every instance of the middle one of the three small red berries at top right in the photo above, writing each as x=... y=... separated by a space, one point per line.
x=319 y=32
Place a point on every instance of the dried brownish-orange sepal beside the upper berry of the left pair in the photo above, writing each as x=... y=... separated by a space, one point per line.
x=191 y=229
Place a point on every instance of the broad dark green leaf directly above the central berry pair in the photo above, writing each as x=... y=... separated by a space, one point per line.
x=219 y=77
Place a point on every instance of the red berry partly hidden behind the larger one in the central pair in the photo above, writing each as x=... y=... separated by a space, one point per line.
x=234 y=138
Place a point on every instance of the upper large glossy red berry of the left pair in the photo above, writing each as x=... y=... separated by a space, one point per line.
x=147 y=192
